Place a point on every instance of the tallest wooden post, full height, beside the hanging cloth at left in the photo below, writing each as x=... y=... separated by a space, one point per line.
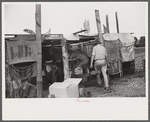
x=39 y=51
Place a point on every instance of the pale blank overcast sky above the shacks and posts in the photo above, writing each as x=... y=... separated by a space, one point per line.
x=68 y=17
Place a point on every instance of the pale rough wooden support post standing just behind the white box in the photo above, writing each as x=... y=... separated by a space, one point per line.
x=65 y=59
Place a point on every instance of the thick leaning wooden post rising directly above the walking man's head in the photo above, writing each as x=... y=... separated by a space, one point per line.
x=99 y=26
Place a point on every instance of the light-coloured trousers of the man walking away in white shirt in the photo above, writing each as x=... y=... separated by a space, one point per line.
x=101 y=66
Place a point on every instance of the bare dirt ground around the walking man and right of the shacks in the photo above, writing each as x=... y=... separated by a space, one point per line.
x=127 y=86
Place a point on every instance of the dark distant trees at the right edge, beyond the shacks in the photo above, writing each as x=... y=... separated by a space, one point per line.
x=140 y=42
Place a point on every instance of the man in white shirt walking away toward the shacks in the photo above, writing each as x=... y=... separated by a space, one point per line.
x=99 y=54
